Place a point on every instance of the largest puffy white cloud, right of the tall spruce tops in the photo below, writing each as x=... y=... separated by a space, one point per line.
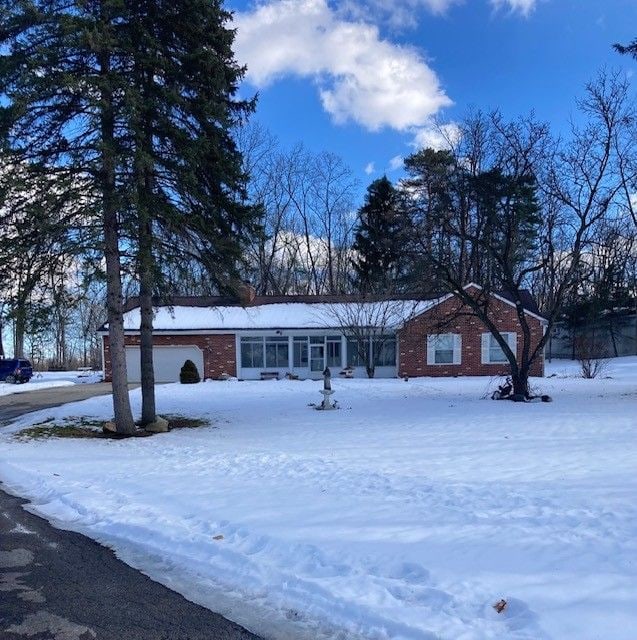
x=360 y=76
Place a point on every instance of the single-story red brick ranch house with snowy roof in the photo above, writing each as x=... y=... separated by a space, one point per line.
x=274 y=336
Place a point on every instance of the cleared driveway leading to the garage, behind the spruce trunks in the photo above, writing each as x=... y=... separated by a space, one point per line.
x=17 y=404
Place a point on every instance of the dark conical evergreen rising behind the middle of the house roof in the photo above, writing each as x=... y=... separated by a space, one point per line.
x=378 y=240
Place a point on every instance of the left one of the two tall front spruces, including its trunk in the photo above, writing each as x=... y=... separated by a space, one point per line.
x=61 y=87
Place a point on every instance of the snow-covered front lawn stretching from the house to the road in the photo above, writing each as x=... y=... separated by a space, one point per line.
x=406 y=514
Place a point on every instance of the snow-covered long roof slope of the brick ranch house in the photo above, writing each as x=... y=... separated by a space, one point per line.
x=291 y=315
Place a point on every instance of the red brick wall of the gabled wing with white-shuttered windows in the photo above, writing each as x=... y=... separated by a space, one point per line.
x=412 y=340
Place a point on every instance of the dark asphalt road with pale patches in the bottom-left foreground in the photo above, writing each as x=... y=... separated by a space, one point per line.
x=59 y=585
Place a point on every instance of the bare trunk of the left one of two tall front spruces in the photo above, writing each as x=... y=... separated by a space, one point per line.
x=124 y=422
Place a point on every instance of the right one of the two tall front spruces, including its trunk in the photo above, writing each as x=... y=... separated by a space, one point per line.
x=188 y=186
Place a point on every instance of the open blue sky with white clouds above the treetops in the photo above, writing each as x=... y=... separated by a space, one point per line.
x=367 y=78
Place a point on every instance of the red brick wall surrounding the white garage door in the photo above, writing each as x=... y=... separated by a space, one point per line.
x=219 y=351
